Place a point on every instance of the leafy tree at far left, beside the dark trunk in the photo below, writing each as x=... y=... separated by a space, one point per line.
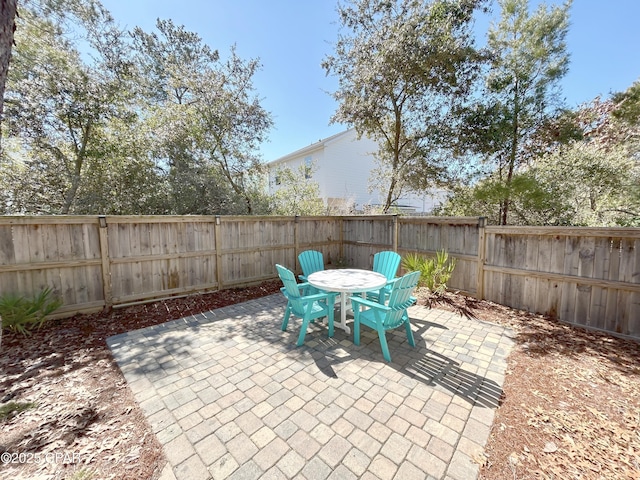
x=59 y=106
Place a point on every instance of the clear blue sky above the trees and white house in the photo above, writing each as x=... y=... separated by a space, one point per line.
x=291 y=38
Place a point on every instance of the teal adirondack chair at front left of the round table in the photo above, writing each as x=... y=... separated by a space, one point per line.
x=301 y=304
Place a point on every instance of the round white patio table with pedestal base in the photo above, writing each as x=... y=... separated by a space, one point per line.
x=347 y=281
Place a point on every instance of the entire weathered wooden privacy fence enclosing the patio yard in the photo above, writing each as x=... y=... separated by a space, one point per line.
x=585 y=276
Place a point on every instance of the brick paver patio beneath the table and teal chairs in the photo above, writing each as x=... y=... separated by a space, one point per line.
x=230 y=396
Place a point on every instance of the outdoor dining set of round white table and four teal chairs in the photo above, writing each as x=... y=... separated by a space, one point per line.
x=378 y=298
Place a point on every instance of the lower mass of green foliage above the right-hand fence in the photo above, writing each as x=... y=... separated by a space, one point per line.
x=589 y=177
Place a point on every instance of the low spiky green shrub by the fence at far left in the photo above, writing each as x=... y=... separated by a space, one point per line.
x=21 y=314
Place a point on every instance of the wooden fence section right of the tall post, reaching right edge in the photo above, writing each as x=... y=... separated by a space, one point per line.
x=585 y=276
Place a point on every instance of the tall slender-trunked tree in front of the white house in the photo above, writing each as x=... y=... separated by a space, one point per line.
x=400 y=66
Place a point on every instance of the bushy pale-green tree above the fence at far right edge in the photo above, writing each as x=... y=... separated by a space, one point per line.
x=598 y=175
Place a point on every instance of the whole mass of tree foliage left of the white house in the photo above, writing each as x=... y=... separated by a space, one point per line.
x=106 y=121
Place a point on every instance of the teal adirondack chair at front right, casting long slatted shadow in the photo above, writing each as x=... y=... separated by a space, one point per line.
x=386 y=317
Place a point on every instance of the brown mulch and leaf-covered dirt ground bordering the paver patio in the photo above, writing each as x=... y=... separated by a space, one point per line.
x=570 y=408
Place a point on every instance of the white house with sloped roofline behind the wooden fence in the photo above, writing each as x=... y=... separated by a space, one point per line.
x=343 y=164
